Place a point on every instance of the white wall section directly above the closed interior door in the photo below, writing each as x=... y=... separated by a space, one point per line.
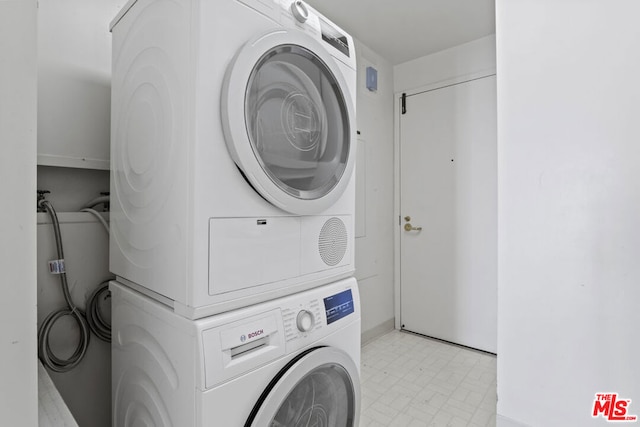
x=469 y=59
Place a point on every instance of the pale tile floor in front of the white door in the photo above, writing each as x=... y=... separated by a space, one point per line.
x=409 y=380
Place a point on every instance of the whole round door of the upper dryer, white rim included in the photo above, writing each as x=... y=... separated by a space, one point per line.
x=289 y=121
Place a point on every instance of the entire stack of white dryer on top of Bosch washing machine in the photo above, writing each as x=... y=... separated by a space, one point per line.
x=232 y=210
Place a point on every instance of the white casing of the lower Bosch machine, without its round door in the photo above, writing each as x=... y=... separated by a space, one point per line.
x=168 y=370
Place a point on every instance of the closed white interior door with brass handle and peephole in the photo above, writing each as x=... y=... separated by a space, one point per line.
x=448 y=188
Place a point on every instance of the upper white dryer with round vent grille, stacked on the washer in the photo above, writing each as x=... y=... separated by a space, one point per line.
x=232 y=151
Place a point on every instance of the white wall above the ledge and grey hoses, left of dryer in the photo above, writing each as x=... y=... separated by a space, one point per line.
x=74 y=82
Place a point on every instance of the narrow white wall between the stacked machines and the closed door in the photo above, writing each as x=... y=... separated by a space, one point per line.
x=374 y=250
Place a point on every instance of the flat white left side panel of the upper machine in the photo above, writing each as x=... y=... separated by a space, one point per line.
x=149 y=160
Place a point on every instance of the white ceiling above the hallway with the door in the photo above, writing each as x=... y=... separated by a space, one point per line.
x=401 y=30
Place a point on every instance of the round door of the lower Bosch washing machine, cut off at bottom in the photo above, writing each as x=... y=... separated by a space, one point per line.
x=319 y=387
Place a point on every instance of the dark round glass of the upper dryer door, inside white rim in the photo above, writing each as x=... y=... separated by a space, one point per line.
x=297 y=121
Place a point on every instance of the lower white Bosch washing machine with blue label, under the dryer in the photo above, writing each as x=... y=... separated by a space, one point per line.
x=287 y=362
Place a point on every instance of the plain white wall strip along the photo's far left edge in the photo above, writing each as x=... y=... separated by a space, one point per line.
x=18 y=366
